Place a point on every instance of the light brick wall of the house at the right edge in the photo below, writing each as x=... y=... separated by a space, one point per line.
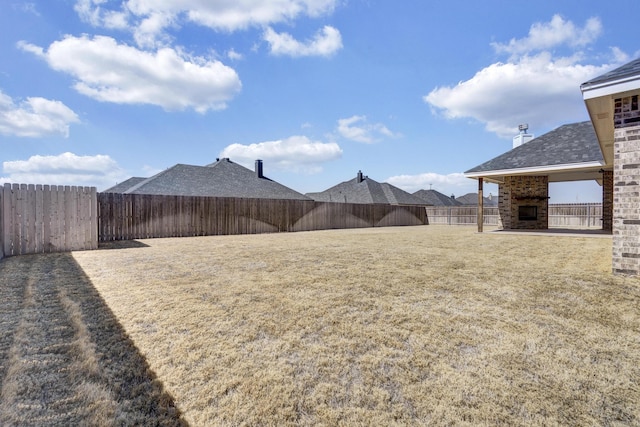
x=626 y=200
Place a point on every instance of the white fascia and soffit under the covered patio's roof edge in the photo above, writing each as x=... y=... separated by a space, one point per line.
x=557 y=173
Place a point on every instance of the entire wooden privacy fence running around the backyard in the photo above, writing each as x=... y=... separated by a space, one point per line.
x=43 y=218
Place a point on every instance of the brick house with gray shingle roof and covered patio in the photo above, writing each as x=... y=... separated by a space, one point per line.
x=612 y=103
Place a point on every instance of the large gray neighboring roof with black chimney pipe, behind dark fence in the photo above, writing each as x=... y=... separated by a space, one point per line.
x=223 y=178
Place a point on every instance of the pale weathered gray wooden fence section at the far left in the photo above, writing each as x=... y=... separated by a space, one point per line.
x=43 y=218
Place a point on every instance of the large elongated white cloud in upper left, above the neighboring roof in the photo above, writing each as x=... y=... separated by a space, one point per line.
x=121 y=74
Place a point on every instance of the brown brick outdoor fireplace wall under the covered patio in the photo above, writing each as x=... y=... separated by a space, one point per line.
x=530 y=192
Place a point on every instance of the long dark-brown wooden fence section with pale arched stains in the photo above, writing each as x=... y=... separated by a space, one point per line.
x=133 y=216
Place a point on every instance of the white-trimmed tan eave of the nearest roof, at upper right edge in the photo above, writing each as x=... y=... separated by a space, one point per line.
x=599 y=99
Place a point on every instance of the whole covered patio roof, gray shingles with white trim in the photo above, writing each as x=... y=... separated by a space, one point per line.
x=570 y=152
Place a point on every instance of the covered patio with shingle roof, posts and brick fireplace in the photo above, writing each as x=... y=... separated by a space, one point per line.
x=523 y=174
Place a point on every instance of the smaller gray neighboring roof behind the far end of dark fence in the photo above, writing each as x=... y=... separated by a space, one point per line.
x=363 y=189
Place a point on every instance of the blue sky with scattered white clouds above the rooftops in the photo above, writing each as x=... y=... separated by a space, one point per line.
x=412 y=93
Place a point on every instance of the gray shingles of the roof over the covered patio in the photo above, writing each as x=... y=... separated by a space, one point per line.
x=572 y=143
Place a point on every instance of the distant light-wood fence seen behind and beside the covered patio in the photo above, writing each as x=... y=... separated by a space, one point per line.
x=578 y=215
